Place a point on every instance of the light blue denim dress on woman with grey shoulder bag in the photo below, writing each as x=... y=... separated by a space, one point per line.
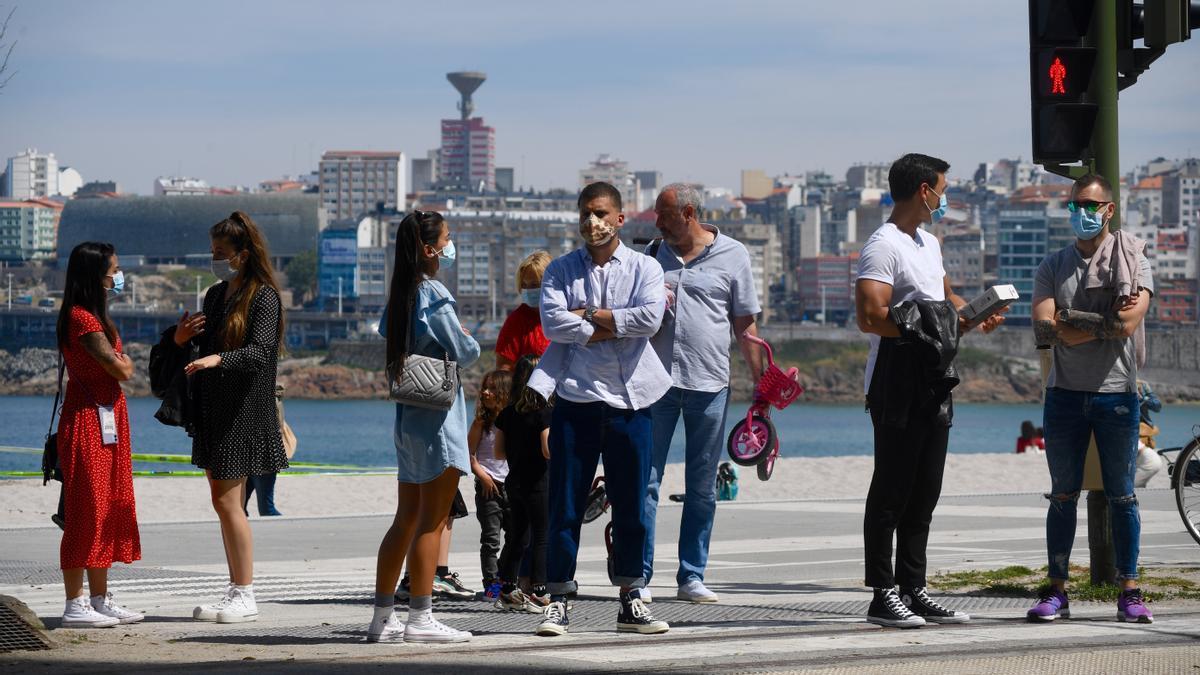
x=429 y=441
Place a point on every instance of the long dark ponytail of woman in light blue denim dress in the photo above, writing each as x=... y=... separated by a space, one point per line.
x=417 y=231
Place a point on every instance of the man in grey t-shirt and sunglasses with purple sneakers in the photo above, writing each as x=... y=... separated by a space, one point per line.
x=1094 y=386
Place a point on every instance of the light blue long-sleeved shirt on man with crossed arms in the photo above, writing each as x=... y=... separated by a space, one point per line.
x=625 y=373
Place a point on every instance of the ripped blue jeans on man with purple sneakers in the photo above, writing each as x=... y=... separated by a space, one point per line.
x=1071 y=419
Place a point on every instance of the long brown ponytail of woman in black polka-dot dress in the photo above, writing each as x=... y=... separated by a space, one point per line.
x=243 y=235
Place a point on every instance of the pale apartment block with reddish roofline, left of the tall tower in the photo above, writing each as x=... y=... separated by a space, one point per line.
x=355 y=183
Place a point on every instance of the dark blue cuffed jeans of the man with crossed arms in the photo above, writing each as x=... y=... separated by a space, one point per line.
x=580 y=434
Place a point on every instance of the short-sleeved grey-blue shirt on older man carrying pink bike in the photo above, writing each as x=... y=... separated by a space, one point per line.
x=710 y=292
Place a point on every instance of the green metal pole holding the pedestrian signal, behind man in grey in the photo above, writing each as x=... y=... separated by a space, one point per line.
x=1106 y=150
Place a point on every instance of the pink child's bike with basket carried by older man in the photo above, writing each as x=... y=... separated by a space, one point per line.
x=753 y=441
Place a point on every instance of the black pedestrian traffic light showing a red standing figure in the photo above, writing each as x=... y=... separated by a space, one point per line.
x=1060 y=76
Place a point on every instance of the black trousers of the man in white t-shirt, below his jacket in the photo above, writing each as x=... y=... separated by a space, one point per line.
x=908 y=481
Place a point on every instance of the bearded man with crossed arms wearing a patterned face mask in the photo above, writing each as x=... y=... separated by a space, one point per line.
x=599 y=308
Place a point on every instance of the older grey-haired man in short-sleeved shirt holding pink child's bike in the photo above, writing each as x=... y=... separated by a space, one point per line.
x=712 y=290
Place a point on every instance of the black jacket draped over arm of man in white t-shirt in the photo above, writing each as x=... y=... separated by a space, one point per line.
x=915 y=374
